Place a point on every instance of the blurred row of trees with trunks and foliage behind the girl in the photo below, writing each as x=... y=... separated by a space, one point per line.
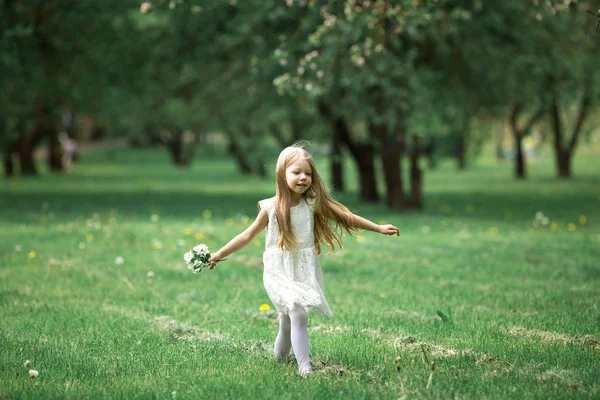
x=387 y=83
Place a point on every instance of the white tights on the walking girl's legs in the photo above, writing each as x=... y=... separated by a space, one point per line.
x=293 y=332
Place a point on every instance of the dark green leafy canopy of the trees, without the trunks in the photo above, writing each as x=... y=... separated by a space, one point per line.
x=249 y=67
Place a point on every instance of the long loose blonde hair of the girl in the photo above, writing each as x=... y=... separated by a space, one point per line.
x=327 y=209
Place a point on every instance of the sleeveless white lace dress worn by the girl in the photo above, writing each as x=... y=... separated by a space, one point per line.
x=293 y=278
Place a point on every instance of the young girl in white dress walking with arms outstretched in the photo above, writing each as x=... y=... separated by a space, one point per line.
x=298 y=222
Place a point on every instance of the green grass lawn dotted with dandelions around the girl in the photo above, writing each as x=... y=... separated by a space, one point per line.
x=502 y=309
